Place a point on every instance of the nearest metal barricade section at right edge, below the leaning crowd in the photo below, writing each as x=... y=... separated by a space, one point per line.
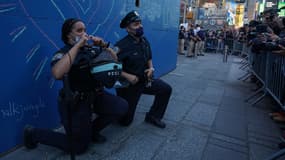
x=269 y=68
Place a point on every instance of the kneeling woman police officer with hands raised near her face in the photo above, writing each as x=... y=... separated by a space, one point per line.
x=108 y=108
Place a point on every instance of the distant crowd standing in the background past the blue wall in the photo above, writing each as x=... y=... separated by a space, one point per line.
x=195 y=41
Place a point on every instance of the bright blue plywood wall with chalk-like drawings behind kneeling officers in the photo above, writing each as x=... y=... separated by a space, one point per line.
x=30 y=34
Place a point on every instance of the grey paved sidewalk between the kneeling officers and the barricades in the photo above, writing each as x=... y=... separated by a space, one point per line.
x=207 y=119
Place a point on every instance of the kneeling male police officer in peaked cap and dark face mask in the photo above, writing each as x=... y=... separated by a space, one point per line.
x=135 y=54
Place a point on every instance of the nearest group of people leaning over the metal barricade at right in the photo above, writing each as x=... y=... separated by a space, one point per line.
x=267 y=35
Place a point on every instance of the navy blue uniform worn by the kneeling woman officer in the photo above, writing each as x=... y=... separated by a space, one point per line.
x=107 y=107
